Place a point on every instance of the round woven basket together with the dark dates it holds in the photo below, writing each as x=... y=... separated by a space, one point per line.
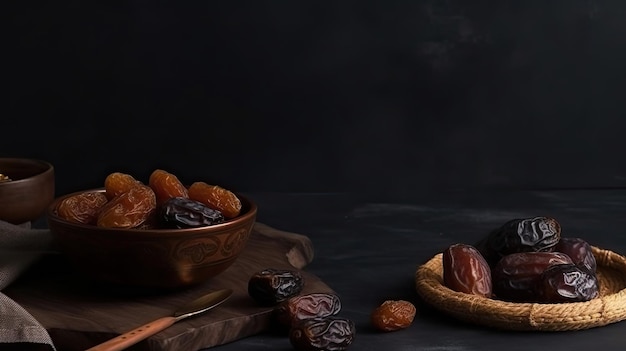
x=527 y=275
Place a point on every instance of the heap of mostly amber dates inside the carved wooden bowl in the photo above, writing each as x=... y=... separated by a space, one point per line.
x=164 y=202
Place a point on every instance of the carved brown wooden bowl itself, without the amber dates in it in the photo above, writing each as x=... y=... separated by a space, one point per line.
x=152 y=258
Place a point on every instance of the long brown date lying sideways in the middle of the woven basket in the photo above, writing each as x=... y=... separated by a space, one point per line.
x=515 y=276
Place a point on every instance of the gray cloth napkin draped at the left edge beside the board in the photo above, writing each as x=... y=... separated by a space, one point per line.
x=20 y=246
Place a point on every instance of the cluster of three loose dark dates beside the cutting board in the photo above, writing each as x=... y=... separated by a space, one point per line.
x=311 y=321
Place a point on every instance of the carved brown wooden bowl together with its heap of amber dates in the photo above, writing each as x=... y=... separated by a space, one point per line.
x=155 y=234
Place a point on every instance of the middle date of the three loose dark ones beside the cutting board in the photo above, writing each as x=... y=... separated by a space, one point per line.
x=315 y=305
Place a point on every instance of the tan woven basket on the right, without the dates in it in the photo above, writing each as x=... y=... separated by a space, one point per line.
x=609 y=307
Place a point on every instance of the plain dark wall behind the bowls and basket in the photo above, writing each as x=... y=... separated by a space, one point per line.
x=391 y=97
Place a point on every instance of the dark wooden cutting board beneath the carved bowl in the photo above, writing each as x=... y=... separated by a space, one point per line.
x=79 y=315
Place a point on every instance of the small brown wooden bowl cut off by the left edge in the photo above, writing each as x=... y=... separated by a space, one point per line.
x=29 y=192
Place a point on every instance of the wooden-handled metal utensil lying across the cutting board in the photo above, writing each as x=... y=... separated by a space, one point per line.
x=195 y=307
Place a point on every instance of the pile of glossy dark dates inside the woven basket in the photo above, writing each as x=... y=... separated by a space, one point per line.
x=524 y=260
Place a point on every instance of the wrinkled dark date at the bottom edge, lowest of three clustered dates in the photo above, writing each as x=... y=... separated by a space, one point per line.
x=322 y=334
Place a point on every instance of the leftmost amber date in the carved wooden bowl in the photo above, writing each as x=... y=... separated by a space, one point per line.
x=82 y=208
